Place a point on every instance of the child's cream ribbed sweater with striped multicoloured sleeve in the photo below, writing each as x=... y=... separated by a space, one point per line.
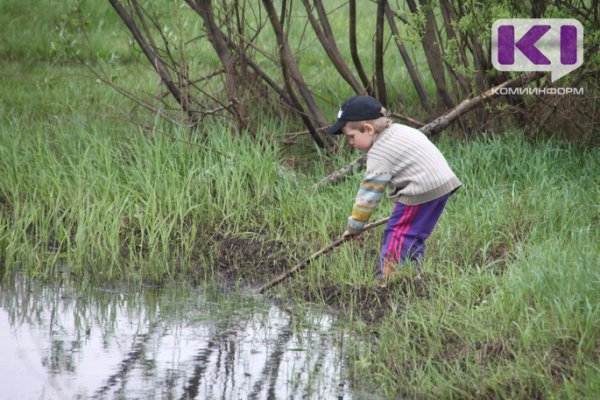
x=403 y=159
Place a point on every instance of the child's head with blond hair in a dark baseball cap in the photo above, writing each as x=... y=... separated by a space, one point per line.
x=360 y=118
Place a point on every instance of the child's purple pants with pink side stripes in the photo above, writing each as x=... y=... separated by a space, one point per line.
x=405 y=233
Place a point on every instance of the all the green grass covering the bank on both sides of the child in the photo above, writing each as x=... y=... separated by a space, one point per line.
x=507 y=306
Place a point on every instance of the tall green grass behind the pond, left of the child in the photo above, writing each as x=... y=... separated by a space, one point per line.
x=79 y=189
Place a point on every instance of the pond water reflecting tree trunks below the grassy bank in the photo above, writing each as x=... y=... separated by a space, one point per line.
x=63 y=342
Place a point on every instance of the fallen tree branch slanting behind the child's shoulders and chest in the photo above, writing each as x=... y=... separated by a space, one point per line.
x=438 y=124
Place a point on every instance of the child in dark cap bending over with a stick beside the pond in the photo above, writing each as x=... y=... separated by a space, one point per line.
x=403 y=159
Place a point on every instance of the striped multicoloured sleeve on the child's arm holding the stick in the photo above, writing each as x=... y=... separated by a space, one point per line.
x=368 y=197
